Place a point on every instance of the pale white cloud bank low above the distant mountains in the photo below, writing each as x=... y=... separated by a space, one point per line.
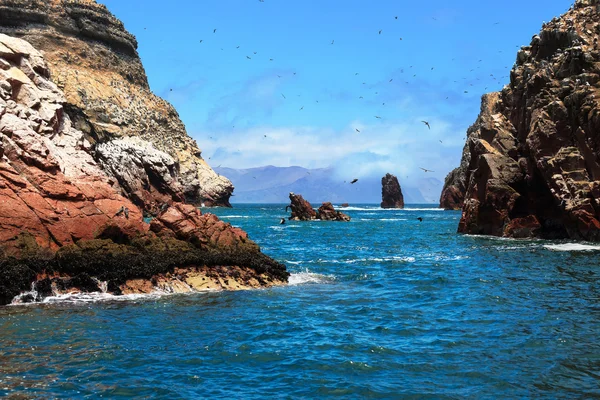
x=380 y=147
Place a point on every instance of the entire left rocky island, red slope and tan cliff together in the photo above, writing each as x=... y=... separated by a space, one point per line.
x=86 y=152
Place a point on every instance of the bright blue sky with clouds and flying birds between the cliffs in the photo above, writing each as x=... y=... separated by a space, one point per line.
x=324 y=83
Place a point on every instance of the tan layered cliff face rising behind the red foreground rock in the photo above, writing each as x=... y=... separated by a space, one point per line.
x=94 y=60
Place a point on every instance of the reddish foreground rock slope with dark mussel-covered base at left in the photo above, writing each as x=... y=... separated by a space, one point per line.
x=64 y=224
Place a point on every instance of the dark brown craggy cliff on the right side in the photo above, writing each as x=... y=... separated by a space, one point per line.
x=531 y=165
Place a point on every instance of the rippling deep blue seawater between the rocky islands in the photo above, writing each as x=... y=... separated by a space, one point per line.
x=381 y=307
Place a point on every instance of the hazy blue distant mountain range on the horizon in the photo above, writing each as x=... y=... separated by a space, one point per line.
x=273 y=184
